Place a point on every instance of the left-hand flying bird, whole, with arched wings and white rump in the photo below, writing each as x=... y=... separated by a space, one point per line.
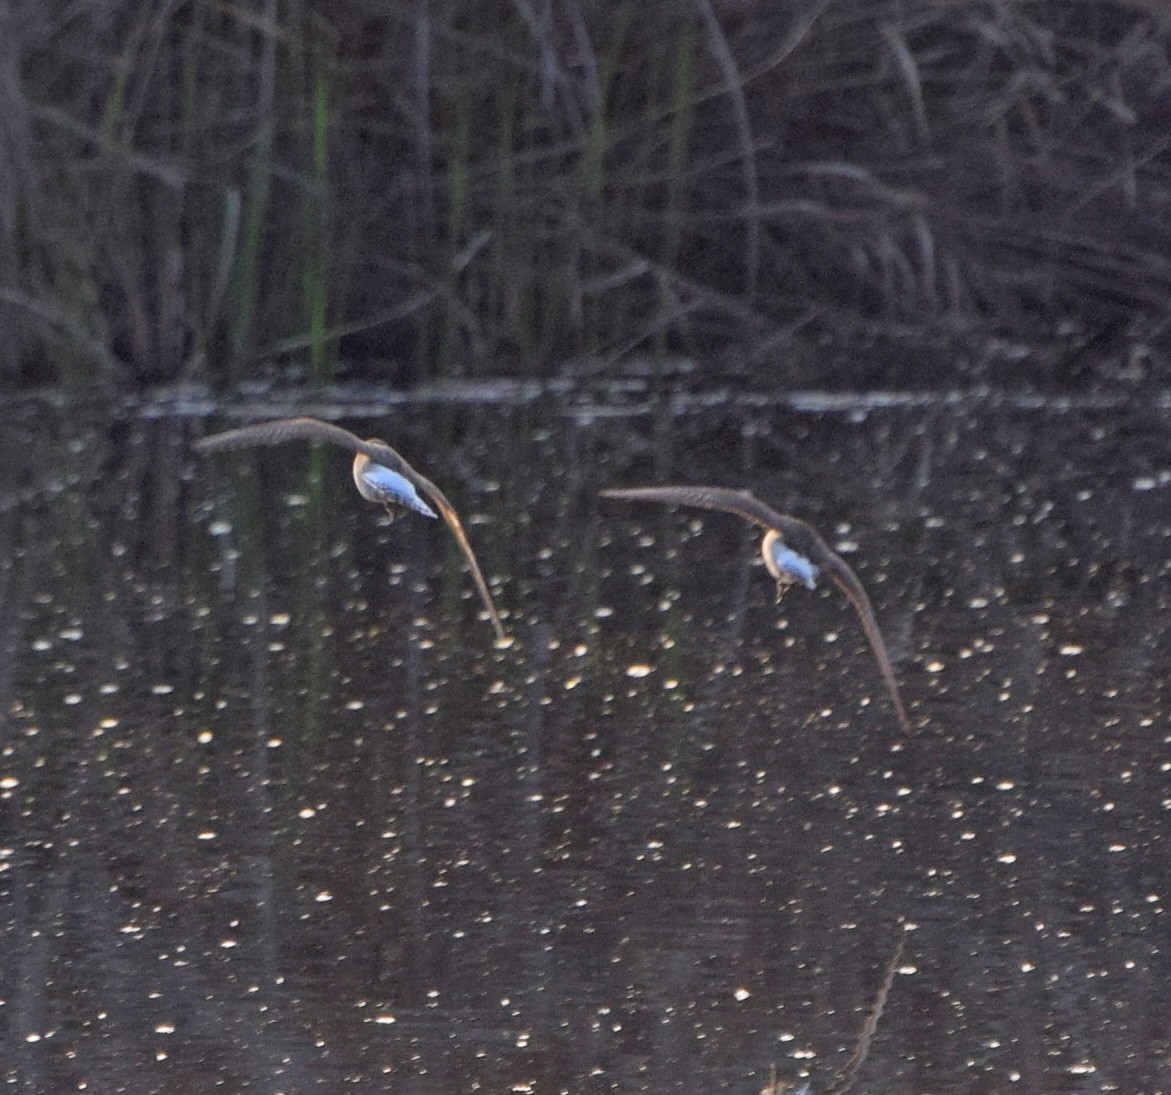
x=380 y=474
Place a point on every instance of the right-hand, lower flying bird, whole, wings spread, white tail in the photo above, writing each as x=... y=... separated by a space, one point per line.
x=795 y=553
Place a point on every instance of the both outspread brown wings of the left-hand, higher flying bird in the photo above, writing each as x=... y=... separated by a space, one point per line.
x=282 y=430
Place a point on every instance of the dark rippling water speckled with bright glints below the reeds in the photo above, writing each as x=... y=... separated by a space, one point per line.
x=278 y=816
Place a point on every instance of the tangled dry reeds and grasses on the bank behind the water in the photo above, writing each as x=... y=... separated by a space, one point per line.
x=403 y=190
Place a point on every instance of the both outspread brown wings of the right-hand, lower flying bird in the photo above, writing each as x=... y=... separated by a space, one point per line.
x=797 y=535
